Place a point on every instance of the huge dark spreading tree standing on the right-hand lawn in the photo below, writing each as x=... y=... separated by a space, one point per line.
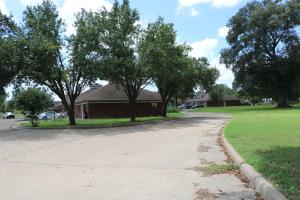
x=264 y=45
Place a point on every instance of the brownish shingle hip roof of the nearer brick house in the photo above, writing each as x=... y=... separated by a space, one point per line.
x=112 y=92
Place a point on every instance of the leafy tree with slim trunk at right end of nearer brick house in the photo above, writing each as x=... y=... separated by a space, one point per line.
x=164 y=58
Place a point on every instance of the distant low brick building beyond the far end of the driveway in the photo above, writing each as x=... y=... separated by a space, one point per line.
x=204 y=99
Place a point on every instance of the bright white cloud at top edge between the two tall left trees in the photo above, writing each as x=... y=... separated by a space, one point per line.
x=70 y=7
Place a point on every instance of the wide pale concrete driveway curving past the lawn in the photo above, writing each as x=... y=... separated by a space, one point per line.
x=146 y=162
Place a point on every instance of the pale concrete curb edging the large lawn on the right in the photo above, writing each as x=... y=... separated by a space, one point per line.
x=256 y=180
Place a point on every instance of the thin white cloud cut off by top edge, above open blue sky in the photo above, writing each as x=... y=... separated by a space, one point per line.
x=214 y=3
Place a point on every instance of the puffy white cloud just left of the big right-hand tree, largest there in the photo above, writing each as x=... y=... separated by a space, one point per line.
x=204 y=48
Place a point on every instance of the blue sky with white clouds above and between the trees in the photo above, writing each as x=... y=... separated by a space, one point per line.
x=199 y=23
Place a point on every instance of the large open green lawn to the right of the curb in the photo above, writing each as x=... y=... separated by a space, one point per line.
x=269 y=139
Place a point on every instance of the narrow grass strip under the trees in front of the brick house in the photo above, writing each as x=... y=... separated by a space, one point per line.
x=63 y=123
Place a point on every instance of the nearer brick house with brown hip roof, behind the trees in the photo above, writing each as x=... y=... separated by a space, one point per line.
x=110 y=101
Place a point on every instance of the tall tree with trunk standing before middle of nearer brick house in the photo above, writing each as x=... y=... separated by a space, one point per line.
x=113 y=36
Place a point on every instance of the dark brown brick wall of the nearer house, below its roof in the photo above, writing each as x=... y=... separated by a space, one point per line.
x=110 y=110
